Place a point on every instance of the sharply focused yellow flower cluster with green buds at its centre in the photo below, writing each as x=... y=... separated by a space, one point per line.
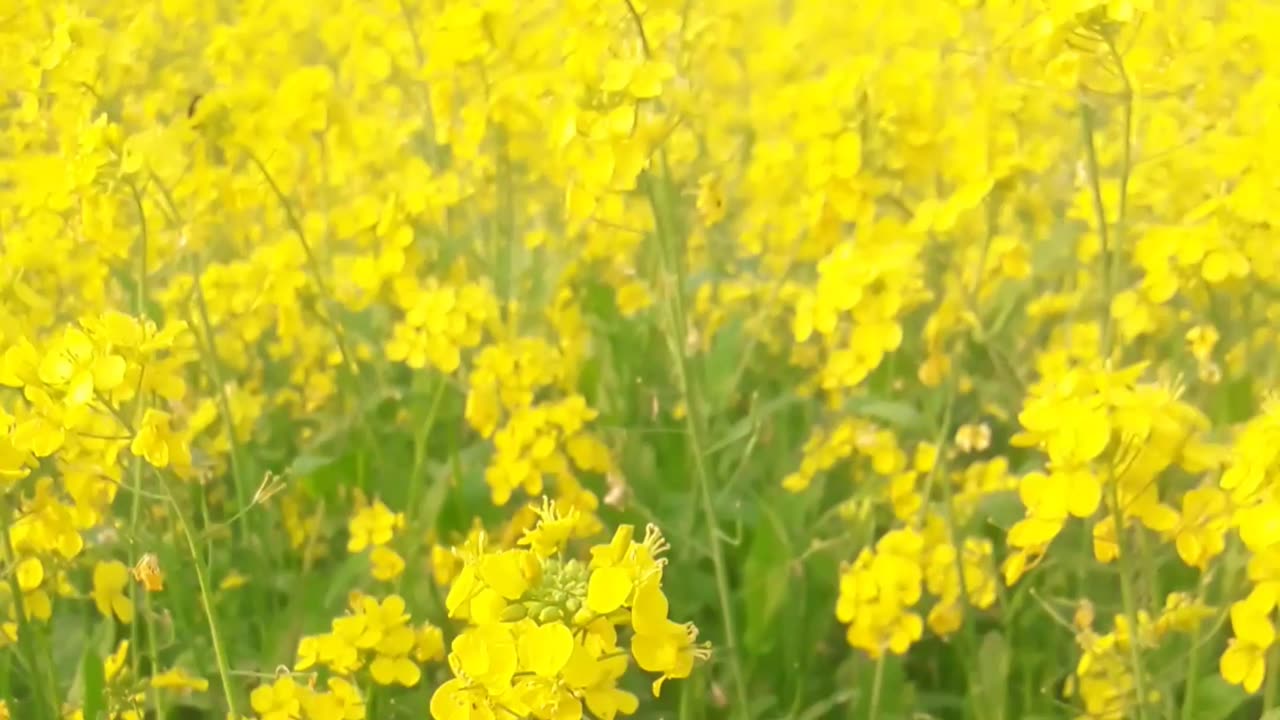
x=543 y=627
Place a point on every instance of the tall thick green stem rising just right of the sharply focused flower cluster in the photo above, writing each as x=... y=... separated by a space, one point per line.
x=694 y=421
